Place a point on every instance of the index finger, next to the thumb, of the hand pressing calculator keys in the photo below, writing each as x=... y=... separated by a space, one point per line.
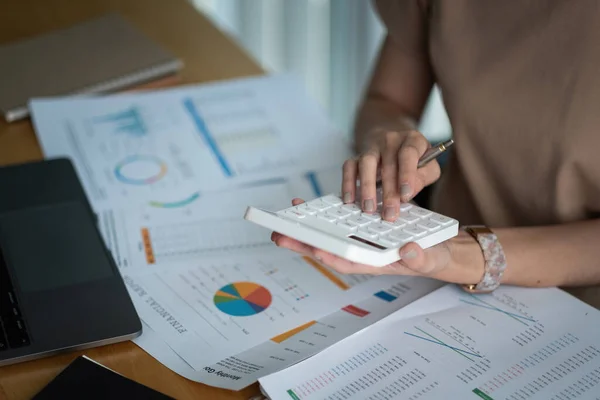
x=412 y=148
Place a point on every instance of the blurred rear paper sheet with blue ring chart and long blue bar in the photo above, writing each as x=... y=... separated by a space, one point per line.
x=164 y=147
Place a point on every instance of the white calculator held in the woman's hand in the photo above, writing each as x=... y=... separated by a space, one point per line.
x=344 y=230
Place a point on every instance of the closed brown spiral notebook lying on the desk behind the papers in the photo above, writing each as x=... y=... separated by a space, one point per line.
x=100 y=55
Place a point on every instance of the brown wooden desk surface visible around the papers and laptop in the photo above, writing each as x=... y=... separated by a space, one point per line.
x=208 y=55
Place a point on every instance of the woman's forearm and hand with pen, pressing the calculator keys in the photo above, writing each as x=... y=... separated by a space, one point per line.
x=388 y=145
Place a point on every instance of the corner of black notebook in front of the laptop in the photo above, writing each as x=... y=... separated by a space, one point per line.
x=86 y=379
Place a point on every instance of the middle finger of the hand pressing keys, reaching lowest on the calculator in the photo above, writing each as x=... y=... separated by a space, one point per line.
x=389 y=176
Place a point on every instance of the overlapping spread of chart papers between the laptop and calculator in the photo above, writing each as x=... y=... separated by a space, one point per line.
x=170 y=174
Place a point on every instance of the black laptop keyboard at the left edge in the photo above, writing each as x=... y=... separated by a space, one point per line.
x=12 y=327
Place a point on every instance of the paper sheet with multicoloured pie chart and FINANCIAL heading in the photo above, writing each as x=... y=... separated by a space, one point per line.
x=220 y=307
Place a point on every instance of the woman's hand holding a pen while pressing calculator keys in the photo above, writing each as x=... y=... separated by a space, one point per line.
x=393 y=156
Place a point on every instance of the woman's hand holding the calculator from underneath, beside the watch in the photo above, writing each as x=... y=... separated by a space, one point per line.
x=457 y=260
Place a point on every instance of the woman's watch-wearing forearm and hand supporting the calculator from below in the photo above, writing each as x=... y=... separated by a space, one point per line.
x=558 y=255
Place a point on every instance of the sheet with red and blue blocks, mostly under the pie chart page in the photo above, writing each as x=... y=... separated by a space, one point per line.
x=241 y=369
